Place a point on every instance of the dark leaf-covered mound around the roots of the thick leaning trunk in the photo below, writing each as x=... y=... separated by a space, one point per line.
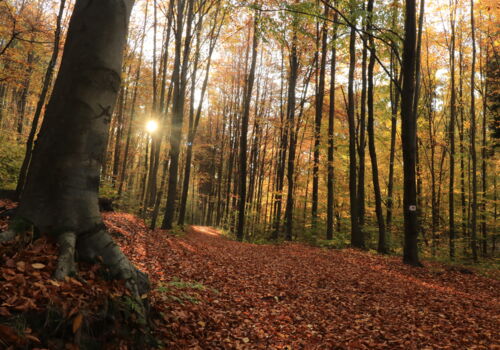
x=86 y=311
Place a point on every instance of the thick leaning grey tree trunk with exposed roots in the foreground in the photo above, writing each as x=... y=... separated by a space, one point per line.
x=62 y=199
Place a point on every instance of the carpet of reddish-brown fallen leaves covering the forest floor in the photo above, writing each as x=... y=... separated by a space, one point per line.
x=210 y=292
